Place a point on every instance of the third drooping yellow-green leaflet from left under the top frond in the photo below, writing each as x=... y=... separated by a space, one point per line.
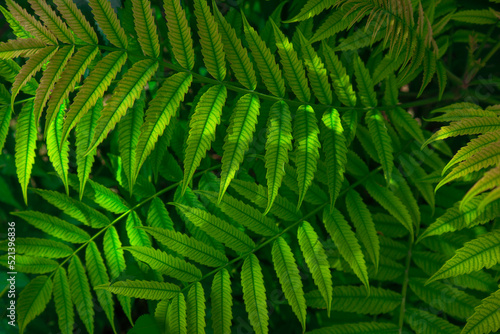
x=69 y=78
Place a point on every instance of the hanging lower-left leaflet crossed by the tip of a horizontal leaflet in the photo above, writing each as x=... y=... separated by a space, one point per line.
x=98 y=275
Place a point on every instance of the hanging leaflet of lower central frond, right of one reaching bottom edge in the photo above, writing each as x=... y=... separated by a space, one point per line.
x=316 y=260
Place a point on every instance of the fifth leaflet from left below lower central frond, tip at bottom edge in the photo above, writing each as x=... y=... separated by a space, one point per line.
x=288 y=274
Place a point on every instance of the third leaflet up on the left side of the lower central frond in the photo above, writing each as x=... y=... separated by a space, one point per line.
x=188 y=247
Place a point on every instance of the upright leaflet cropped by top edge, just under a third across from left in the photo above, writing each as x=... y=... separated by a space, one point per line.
x=146 y=28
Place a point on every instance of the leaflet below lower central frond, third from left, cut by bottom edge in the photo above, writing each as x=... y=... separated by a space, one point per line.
x=221 y=302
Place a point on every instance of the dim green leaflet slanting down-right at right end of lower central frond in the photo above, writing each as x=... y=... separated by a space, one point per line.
x=391 y=203
